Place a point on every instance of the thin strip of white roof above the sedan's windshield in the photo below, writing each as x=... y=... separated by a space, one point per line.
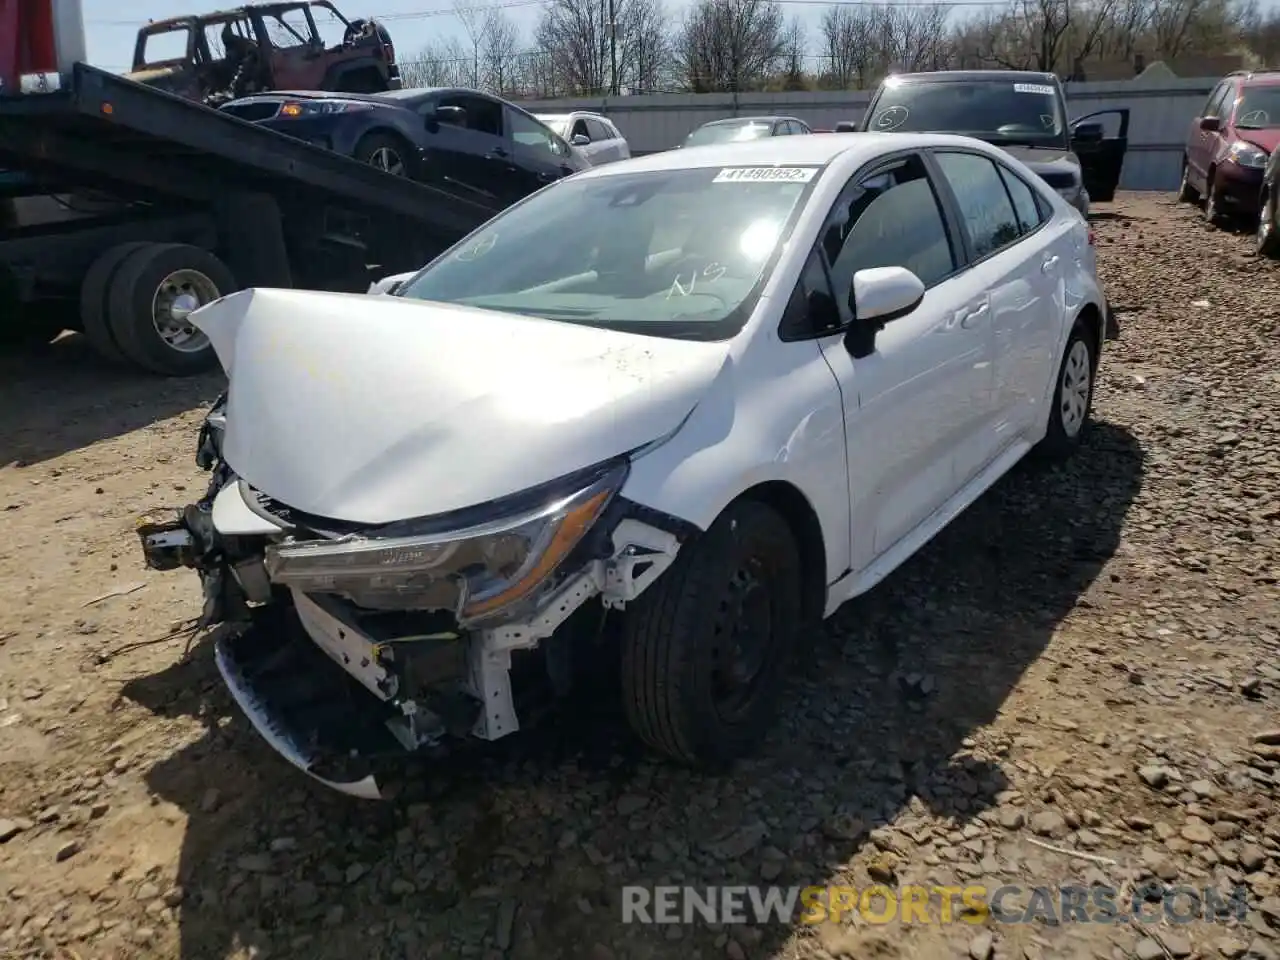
x=781 y=152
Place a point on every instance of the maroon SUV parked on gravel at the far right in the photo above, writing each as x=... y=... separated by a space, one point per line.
x=1231 y=143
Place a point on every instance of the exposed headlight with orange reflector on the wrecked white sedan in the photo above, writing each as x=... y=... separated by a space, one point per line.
x=478 y=572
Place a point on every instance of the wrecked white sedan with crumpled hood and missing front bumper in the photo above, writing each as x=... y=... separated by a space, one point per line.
x=742 y=386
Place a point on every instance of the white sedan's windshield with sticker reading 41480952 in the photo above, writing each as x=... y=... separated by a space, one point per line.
x=665 y=253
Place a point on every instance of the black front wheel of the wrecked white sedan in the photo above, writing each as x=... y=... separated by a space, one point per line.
x=705 y=648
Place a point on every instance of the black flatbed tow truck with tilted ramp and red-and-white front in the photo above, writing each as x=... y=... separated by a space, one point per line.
x=177 y=204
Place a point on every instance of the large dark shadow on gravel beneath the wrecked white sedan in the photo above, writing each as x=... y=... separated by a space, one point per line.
x=522 y=849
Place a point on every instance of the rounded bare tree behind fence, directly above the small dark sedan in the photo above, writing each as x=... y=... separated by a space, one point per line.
x=730 y=45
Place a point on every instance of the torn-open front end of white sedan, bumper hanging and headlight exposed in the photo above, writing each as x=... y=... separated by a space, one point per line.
x=351 y=648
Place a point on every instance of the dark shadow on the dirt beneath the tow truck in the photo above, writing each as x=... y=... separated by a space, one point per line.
x=58 y=397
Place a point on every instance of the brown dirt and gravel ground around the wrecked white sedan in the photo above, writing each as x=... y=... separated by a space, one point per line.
x=1077 y=683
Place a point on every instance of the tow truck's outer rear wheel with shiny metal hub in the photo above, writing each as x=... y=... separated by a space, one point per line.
x=153 y=294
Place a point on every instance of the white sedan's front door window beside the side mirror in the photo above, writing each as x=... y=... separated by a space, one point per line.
x=892 y=218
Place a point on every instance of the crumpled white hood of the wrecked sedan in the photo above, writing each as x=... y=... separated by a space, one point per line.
x=378 y=409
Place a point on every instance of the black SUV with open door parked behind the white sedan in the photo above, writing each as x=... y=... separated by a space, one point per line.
x=1022 y=112
